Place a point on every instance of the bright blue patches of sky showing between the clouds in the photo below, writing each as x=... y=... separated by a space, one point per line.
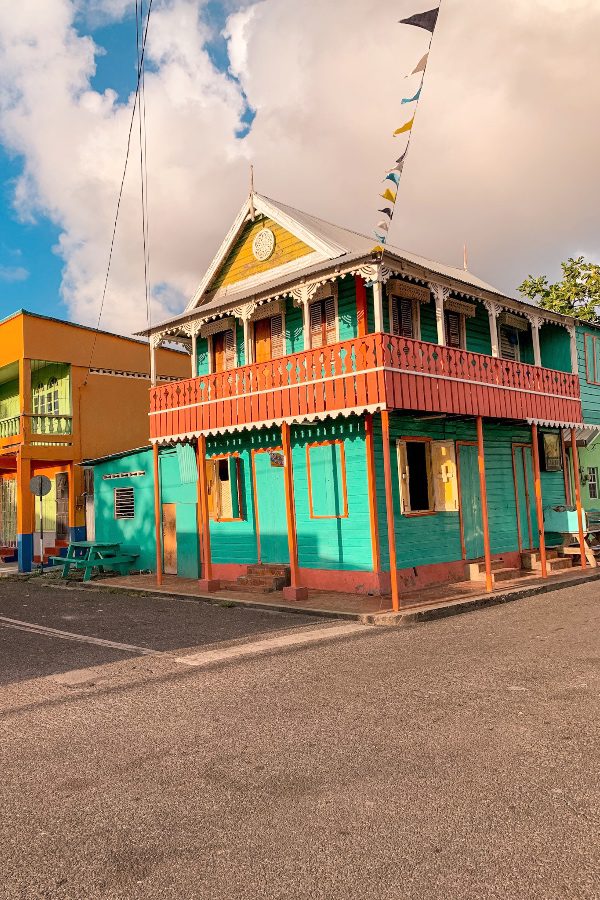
x=30 y=267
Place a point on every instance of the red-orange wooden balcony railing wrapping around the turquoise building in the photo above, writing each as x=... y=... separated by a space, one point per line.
x=378 y=371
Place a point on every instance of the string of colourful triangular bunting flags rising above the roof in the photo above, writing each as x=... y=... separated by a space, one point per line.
x=426 y=20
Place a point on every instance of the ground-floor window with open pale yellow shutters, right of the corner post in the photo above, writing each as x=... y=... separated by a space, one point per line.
x=427 y=474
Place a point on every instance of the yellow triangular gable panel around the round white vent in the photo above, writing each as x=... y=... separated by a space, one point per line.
x=242 y=262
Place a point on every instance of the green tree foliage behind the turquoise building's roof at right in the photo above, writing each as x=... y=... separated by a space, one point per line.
x=576 y=294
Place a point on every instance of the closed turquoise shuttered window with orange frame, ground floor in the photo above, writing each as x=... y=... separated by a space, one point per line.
x=327 y=493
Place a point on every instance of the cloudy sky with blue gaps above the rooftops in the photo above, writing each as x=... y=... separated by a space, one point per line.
x=504 y=153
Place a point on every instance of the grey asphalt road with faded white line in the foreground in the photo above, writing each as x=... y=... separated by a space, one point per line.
x=455 y=759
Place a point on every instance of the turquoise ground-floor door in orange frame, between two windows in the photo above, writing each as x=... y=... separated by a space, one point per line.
x=270 y=508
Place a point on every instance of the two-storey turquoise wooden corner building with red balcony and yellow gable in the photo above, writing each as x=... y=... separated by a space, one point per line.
x=354 y=420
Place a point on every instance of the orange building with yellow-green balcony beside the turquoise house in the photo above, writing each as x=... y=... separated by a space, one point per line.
x=67 y=393
